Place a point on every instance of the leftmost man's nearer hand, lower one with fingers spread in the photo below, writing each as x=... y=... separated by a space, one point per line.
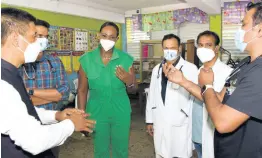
x=81 y=123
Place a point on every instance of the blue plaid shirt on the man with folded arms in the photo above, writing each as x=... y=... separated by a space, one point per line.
x=49 y=72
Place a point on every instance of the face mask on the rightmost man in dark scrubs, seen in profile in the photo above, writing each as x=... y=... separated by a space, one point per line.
x=239 y=39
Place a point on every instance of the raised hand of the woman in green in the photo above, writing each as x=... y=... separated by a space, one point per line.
x=126 y=77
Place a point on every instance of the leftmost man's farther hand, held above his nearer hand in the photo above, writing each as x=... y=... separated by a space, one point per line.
x=62 y=115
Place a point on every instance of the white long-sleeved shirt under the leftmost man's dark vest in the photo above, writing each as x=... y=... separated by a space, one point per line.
x=23 y=128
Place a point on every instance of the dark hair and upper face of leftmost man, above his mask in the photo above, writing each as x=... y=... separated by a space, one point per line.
x=13 y=19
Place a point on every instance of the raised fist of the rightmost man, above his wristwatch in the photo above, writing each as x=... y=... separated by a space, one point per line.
x=206 y=77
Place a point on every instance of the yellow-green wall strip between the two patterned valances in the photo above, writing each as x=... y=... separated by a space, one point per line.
x=216 y=24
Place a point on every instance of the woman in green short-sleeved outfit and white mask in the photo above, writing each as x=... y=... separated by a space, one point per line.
x=106 y=72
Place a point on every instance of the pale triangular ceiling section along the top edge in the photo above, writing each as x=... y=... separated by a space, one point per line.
x=122 y=5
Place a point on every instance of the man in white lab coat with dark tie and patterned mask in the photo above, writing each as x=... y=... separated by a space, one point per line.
x=169 y=106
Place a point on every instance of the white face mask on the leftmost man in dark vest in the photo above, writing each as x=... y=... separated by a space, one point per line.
x=31 y=52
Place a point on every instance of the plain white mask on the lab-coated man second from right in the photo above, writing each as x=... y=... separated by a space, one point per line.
x=205 y=54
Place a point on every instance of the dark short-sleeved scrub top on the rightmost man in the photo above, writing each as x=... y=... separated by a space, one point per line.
x=246 y=140
